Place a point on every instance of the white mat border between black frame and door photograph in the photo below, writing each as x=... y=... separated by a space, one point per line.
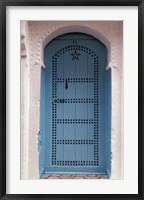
x=129 y=185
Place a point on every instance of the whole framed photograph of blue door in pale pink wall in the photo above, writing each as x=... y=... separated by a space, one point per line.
x=83 y=55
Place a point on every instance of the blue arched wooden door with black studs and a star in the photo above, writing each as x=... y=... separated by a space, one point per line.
x=75 y=107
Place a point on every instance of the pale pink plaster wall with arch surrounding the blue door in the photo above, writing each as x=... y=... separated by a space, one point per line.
x=34 y=36
